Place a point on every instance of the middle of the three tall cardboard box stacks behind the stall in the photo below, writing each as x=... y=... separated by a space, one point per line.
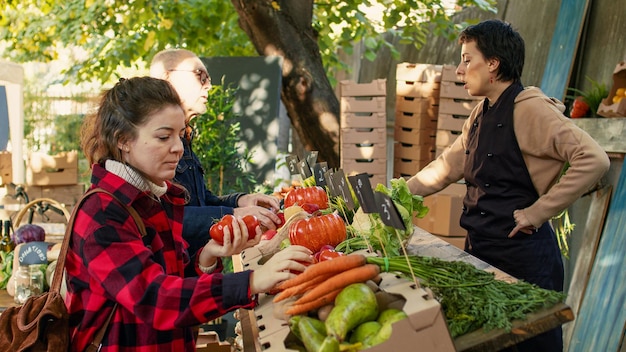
x=417 y=107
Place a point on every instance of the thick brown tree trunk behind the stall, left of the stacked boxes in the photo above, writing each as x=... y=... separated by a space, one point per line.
x=283 y=28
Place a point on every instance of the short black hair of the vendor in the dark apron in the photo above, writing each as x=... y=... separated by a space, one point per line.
x=497 y=39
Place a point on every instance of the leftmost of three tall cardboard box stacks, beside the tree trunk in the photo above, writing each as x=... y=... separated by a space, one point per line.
x=363 y=137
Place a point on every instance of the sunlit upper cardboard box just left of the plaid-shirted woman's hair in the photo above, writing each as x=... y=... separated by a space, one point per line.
x=60 y=169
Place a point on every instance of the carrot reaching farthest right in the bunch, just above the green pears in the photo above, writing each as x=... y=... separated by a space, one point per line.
x=341 y=280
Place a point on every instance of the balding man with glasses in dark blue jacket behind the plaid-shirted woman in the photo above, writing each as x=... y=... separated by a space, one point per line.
x=189 y=77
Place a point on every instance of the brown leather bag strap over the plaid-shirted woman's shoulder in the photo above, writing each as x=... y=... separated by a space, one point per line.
x=58 y=270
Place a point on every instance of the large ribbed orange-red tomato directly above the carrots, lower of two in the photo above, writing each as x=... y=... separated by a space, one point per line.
x=317 y=231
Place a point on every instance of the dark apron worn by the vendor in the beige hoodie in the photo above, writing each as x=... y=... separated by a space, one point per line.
x=498 y=183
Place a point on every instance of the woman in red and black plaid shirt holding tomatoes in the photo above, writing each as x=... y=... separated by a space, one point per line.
x=133 y=144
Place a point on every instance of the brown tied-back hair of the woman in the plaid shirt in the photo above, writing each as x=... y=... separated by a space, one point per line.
x=122 y=108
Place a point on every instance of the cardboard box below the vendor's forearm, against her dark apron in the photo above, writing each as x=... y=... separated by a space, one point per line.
x=445 y=209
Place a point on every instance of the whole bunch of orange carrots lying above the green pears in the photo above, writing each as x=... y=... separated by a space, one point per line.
x=320 y=283
